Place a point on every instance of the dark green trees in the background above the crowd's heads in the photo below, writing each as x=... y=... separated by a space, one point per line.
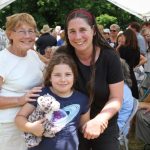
x=54 y=12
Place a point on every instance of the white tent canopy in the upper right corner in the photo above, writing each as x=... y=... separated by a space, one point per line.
x=139 y=8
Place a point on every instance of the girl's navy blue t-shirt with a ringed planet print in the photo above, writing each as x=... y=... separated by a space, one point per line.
x=67 y=138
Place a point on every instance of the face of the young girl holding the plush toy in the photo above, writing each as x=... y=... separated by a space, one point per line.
x=62 y=79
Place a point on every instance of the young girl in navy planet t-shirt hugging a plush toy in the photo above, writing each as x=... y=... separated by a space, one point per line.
x=60 y=76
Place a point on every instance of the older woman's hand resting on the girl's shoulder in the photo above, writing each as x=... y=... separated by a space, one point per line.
x=31 y=95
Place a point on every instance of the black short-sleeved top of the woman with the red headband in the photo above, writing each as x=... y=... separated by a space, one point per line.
x=108 y=71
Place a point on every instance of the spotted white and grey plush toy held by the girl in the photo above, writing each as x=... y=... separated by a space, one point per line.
x=45 y=108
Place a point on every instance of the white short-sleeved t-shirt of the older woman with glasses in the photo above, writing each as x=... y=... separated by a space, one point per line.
x=19 y=75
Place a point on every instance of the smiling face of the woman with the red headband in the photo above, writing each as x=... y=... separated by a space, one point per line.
x=80 y=35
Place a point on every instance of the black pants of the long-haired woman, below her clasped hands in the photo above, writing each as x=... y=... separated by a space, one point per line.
x=107 y=141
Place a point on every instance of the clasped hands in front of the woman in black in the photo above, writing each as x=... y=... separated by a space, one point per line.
x=93 y=128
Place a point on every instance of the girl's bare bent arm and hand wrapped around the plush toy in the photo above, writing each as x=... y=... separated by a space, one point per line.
x=22 y=123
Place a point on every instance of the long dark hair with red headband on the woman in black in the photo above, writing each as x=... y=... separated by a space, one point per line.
x=98 y=41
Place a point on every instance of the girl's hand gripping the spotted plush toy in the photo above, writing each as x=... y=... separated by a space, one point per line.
x=37 y=127
